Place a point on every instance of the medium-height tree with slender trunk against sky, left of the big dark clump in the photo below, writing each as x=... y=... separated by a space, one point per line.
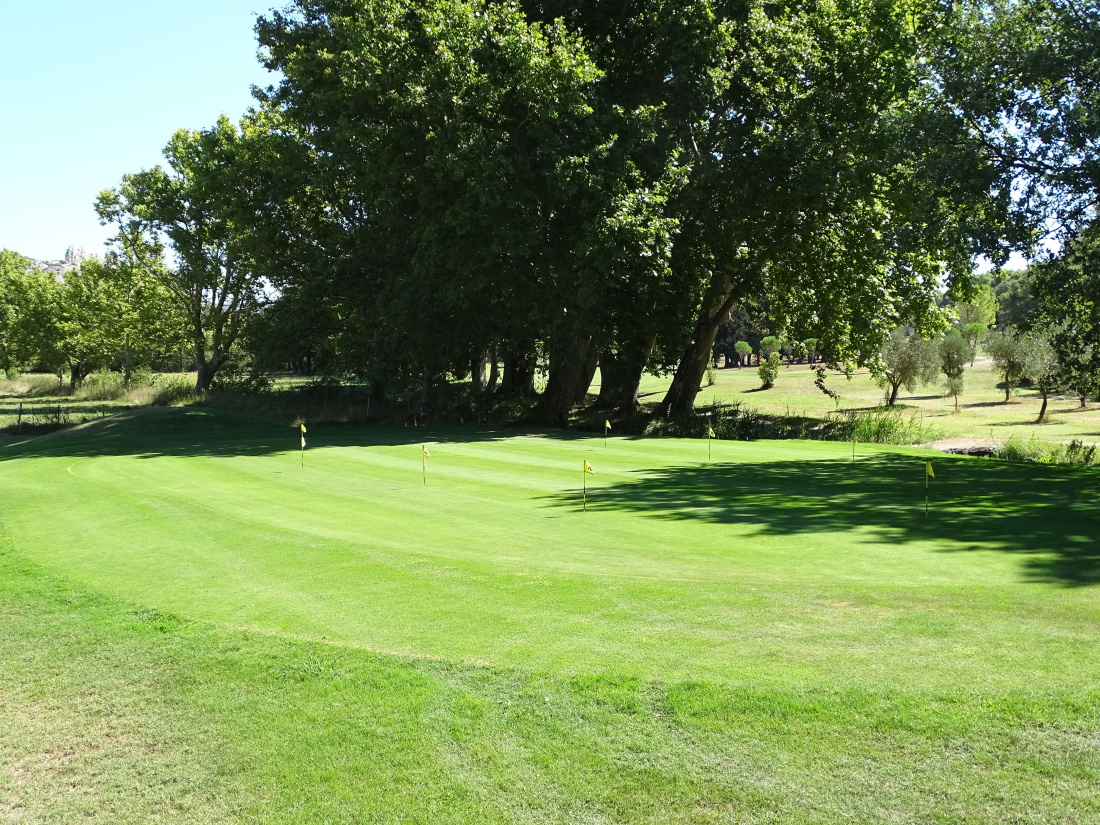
x=206 y=206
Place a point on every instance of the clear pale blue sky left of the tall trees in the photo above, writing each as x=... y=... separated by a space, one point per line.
x=93 y=91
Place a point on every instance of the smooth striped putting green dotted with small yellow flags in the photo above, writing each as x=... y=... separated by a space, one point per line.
x=779 y=563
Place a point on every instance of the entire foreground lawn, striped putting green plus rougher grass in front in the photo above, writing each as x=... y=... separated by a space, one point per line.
x=197 y=629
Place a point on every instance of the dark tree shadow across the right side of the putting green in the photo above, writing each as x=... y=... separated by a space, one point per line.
x=1048 y=515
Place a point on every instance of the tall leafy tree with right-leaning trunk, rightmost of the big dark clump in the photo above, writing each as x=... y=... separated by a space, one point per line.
x=845 y=200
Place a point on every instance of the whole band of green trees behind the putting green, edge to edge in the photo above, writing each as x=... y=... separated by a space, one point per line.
x=449 y=191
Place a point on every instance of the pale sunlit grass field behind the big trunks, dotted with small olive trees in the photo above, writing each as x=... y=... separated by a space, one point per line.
x=983 y=416
